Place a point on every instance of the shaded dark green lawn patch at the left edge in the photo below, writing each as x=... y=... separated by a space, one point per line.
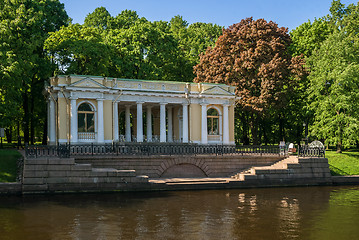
x=8 y=165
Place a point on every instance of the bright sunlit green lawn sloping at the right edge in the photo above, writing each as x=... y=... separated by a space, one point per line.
x=345 y=163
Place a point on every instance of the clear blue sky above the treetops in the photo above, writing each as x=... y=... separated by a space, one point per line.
x=286 y=13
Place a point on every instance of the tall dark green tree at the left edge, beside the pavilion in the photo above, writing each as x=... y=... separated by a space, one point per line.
x=24 y=26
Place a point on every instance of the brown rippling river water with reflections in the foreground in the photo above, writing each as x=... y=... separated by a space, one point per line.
x=268 y=213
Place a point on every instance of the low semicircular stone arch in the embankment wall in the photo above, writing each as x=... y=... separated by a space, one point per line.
x=184 y=167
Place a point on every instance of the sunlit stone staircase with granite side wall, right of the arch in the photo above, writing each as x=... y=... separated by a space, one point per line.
x=291 y=168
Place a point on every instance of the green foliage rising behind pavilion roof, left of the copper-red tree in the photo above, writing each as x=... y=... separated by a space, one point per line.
x=130 y=47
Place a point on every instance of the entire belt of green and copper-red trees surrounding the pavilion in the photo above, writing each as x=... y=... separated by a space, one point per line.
x=259 y=58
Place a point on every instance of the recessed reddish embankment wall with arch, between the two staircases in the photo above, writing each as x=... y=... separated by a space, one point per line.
x=181 y=166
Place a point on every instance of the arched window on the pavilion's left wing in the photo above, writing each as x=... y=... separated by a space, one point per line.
x=86 y=118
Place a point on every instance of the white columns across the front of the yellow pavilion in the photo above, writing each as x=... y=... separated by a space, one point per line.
x=164 y=135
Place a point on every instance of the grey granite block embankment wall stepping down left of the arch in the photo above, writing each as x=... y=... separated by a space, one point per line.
x=64 y=175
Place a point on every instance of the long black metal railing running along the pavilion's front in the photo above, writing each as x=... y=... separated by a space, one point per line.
x=117 y=149
